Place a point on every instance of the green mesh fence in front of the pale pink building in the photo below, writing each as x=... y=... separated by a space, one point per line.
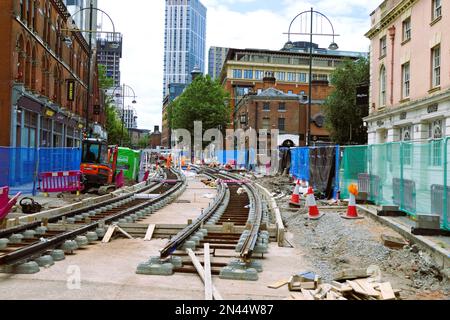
x=410 y=175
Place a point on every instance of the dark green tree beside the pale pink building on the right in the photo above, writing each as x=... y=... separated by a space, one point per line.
x=344 y=118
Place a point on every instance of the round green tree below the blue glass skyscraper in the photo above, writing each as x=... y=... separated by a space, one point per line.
x=203 y=100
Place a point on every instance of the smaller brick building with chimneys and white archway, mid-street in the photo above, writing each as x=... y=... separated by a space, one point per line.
x=271 y=108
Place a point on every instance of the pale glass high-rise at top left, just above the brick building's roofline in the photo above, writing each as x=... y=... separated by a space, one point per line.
x=81 y=18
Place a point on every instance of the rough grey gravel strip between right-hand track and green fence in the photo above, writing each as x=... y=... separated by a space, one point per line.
x=332 y=244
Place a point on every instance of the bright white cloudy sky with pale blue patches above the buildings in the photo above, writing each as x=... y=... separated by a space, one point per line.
x=258 y=24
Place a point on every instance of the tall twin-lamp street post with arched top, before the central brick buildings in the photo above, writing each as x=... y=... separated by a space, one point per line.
x=333 y=46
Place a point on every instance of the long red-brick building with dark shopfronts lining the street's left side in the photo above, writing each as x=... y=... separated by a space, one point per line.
x=43 y=80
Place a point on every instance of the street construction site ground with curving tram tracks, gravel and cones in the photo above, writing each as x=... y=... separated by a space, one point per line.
x=221 y=232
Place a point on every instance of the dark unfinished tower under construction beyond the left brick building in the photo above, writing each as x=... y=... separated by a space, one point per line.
x=109 y=53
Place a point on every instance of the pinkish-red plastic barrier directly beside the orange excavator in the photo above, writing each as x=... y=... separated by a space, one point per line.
x=66 y=181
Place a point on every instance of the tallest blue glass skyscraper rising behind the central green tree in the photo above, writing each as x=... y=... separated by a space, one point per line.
x=185 y=35
